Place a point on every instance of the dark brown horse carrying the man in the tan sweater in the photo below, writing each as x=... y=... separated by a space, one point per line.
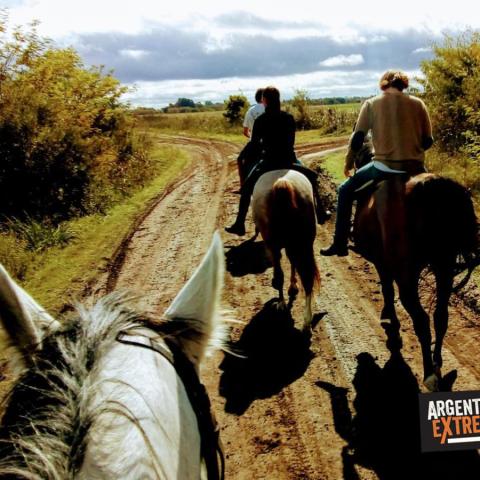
x=406 y=225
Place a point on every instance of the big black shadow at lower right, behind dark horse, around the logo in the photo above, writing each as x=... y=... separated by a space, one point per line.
x=384 y=433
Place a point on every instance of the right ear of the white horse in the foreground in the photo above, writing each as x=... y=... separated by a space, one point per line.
x=197 y=305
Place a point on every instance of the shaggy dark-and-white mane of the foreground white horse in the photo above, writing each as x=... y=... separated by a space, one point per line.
x=48 y=412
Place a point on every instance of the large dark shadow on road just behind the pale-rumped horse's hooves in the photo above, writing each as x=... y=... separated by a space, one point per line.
x=273 y=354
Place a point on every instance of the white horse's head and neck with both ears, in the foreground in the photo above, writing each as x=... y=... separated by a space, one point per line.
x=112 y=393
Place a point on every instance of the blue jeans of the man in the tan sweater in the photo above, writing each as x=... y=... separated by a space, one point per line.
x=365 y=176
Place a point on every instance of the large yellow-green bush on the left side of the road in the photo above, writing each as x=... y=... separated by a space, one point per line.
x=66 y=141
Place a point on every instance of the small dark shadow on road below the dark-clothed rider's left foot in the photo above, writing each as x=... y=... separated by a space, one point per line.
x=249 y=257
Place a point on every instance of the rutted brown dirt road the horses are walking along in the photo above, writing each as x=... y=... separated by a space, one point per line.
x=343 y=406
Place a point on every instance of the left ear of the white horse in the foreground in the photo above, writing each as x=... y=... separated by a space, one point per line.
x=25 y=321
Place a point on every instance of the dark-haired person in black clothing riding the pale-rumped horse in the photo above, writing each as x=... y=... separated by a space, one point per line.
x=272 y=142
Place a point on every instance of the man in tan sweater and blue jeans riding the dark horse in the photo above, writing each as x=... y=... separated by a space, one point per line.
x=401 y=132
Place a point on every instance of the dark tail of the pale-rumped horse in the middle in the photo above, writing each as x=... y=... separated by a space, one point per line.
x=295 y=222
